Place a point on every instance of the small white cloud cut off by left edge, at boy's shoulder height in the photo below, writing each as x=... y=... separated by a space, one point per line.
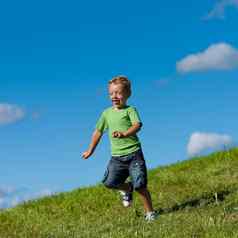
x=10 y=113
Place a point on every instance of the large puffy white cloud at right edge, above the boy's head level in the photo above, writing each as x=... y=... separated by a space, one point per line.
x=221 y=56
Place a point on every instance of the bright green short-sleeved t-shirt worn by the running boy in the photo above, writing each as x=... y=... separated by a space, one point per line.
x=120 y=120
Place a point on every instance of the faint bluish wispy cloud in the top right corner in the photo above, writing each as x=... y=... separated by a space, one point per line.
x=218 y=10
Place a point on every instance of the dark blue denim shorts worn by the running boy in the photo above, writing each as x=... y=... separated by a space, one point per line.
x=122 y=167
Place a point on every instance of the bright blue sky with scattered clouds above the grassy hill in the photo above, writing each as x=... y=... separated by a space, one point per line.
x=56 y=58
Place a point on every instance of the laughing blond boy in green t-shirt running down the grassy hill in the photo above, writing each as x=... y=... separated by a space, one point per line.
x=122 y=123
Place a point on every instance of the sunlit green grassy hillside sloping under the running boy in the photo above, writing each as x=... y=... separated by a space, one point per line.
x=196 y=198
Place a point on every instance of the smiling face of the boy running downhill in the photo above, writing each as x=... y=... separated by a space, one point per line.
x=118 y=95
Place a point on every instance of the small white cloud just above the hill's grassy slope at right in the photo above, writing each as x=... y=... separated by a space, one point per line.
x=200 y=141
